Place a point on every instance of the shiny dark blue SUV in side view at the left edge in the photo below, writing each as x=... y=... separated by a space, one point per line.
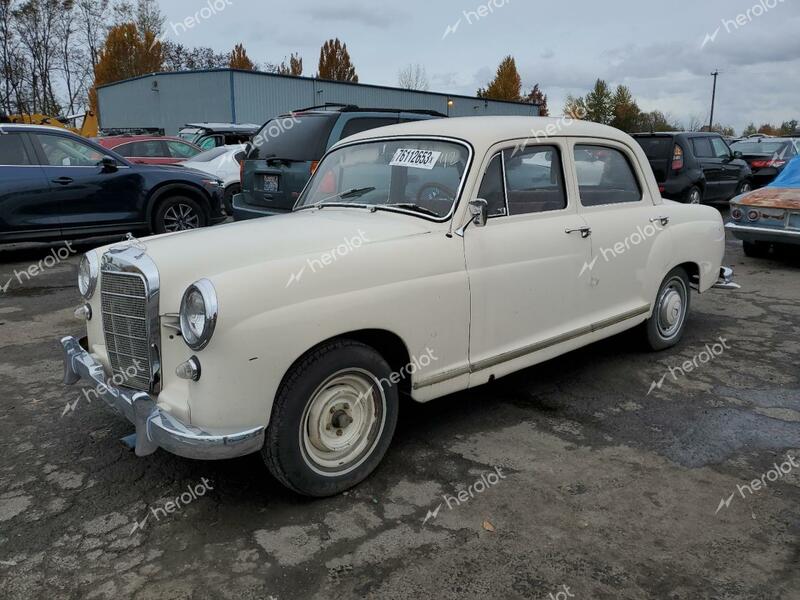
x=56 y=185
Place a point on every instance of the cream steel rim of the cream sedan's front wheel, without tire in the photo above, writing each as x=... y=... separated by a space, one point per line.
x=342 y=422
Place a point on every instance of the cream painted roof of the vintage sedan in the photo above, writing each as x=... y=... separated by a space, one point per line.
x=486 y=131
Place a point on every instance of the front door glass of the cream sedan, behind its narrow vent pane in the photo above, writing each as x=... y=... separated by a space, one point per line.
x=534 y=180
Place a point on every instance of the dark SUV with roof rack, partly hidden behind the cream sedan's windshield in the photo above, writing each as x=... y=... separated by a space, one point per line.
x=283 y=155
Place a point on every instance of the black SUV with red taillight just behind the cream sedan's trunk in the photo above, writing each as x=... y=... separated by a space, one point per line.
x=694 y=167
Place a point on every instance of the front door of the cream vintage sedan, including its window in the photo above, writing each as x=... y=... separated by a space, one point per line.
x=524 y=266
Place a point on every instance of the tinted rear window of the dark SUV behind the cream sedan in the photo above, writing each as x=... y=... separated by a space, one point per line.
x=302 y=138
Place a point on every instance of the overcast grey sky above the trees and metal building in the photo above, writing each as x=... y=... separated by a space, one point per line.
x=657 y=49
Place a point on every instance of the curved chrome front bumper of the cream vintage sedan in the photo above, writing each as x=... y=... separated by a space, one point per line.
x=155 y=428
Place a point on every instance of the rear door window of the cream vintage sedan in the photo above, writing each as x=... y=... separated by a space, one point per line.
x=605 y=176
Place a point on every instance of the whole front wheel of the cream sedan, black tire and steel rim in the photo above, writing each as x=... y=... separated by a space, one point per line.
x=290 y=451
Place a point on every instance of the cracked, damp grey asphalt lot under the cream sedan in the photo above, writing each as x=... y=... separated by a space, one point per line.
x=606 y=491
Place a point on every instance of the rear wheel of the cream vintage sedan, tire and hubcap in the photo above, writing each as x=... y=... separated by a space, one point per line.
x=664 y=329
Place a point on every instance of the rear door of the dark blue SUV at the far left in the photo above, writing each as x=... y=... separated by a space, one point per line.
x=27 y=207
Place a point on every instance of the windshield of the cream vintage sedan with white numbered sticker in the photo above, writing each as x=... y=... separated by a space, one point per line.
x=420 y=176
